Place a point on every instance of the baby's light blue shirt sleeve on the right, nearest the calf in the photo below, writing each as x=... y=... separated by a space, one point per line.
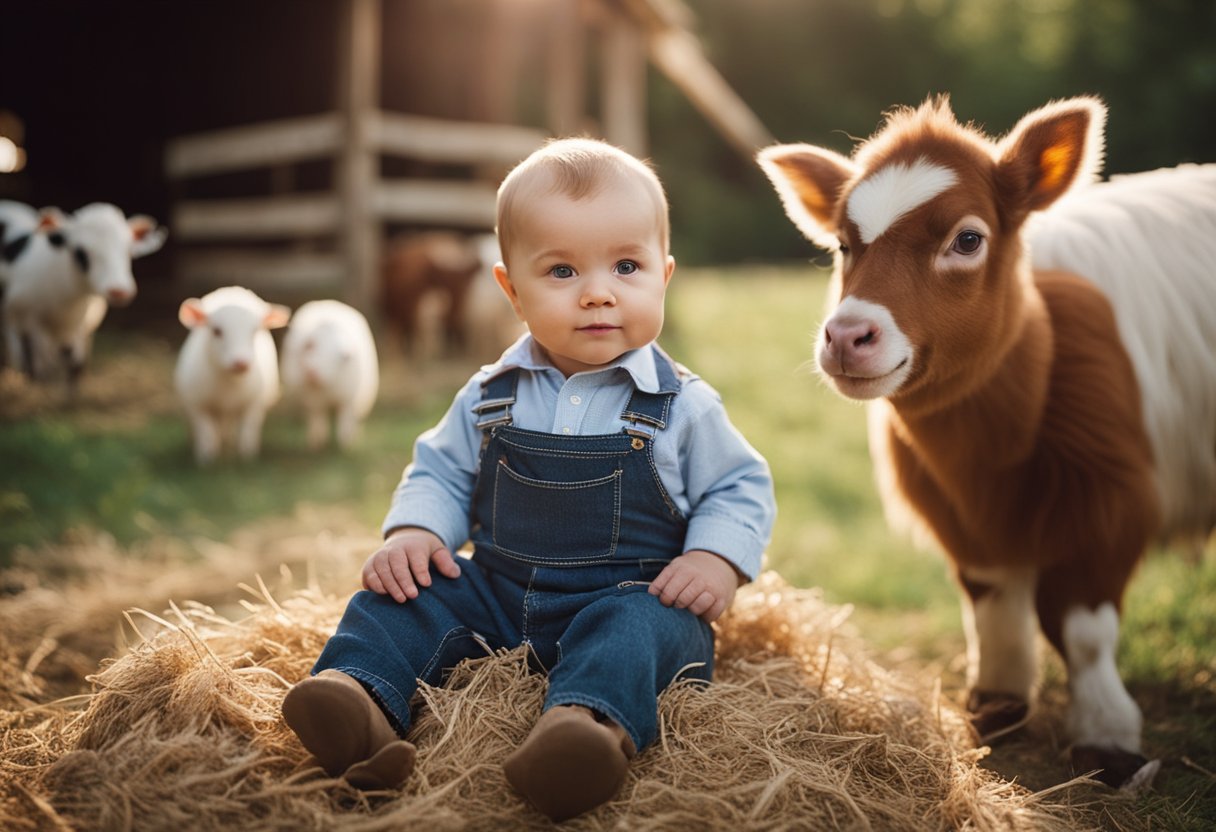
x=729 y=484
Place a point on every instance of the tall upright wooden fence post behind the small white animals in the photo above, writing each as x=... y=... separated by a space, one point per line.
x=358 y=102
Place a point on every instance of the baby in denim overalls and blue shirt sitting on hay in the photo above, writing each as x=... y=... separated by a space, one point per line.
x=612 y=507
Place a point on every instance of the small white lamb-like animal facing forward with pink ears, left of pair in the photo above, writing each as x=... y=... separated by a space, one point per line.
x=228 y=369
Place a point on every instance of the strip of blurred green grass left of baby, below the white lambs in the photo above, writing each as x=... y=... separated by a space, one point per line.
x=147 y=482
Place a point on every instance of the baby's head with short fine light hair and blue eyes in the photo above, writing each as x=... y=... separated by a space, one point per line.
x=583 y=229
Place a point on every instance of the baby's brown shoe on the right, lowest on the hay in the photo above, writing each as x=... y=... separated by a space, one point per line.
x=571 y=763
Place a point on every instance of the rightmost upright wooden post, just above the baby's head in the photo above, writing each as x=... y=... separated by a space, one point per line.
x=623 y=77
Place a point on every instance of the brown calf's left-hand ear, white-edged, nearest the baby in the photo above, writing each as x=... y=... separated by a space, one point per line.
x=809 y=182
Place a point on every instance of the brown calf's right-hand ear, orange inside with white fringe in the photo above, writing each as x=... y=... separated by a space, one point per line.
x=1050 y=151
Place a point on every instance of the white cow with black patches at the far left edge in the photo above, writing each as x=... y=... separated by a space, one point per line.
x=60 y=277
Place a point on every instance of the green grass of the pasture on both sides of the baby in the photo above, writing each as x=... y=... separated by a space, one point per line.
x=121 y=463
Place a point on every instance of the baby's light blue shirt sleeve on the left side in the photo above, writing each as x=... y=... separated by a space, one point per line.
x=437 y=488
